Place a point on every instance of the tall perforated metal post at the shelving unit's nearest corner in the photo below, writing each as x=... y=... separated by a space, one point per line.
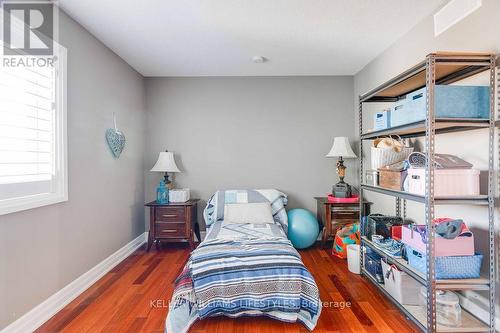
x=429 y=192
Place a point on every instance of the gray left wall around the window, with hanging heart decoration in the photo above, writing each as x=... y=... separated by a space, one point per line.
x=44 y=249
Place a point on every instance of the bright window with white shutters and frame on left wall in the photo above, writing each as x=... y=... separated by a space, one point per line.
x=33 y=166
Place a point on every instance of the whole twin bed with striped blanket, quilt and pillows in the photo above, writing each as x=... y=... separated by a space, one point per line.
x=246 y=266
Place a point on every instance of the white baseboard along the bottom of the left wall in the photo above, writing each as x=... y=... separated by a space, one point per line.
x=34 y=318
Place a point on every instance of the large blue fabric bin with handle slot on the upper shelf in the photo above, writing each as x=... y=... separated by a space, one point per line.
x=450 y=102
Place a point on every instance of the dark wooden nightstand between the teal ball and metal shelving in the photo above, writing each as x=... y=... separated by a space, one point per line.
x=335 y=215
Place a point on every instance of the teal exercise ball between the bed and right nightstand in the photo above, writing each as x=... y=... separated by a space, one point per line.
x=303 y=228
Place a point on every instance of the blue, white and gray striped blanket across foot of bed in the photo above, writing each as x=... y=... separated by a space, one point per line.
x=231 y=277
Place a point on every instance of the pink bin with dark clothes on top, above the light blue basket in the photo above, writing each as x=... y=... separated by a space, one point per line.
x=459 y=246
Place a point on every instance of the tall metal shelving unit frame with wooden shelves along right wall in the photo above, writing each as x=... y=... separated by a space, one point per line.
x=438 y=68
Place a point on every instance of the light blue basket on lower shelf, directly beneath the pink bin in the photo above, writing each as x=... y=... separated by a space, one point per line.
x=456 y=267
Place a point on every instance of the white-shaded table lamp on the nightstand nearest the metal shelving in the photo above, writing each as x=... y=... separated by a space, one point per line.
x=341 y=149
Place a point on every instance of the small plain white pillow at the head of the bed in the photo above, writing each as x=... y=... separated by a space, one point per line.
x=255 y=213
